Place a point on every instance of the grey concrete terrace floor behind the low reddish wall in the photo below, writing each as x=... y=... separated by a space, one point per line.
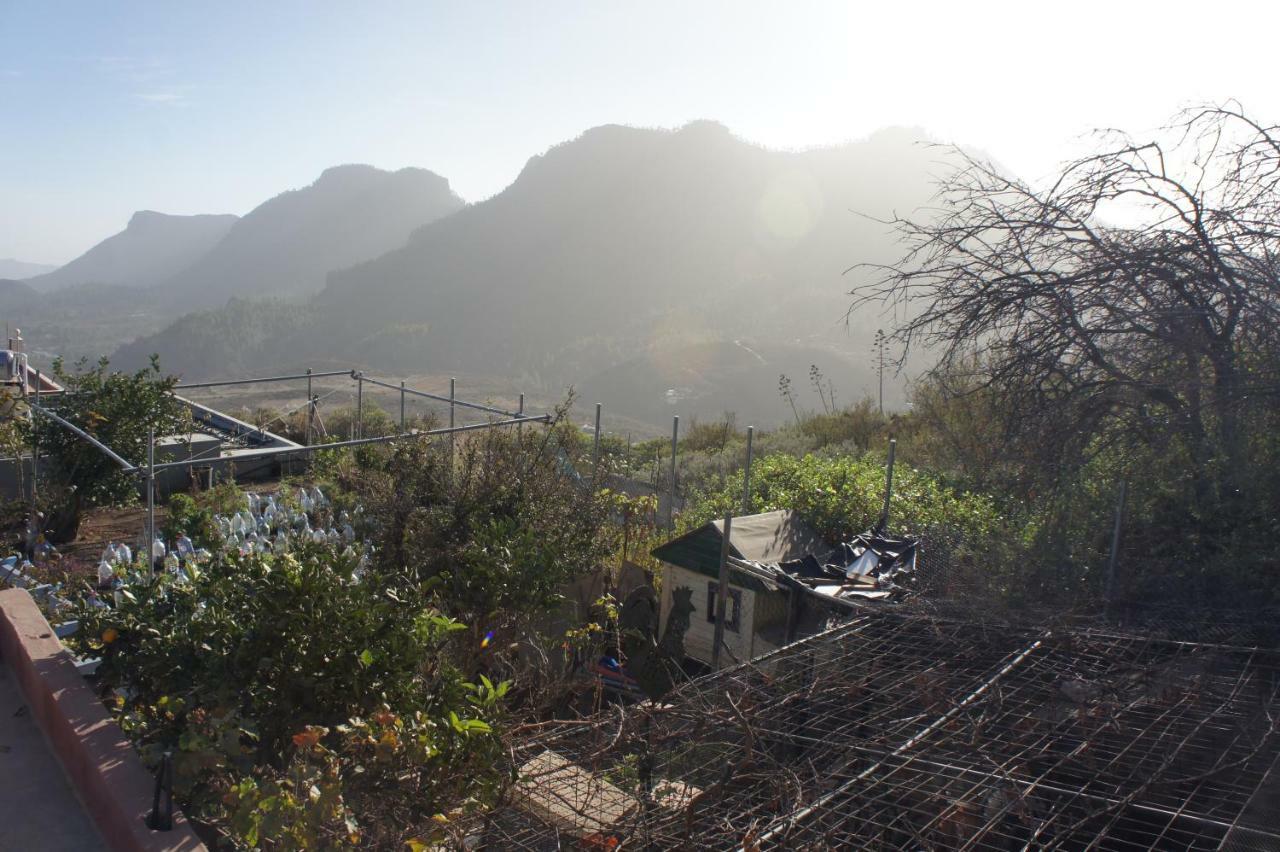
x=39 y=809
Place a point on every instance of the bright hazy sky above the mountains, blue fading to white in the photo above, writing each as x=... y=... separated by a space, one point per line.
x=108 y=108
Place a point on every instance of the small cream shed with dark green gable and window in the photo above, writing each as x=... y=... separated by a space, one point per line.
x=757 y=616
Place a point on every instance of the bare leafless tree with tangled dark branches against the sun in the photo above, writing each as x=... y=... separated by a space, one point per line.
x=1159 y=328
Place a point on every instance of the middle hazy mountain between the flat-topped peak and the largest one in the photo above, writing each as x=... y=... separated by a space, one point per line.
x=287 y=245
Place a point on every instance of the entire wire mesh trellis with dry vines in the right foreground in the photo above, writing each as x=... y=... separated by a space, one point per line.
x=920 y=734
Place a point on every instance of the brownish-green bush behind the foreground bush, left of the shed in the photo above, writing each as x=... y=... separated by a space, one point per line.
x=501 y=521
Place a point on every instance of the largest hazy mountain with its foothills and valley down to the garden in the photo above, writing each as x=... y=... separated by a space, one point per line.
x=634 y=263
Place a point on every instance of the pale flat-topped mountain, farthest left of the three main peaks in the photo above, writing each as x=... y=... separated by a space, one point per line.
x=150 y=250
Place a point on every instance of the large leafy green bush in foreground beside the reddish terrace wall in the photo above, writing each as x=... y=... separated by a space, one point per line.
x=259 y=672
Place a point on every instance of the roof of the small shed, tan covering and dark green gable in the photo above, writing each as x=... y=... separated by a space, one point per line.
x=767 y=538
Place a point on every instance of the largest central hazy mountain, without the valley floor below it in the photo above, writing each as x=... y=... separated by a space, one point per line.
x=630 y=237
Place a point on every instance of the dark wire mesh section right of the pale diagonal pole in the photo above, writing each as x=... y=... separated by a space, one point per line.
x=1109 y=744
